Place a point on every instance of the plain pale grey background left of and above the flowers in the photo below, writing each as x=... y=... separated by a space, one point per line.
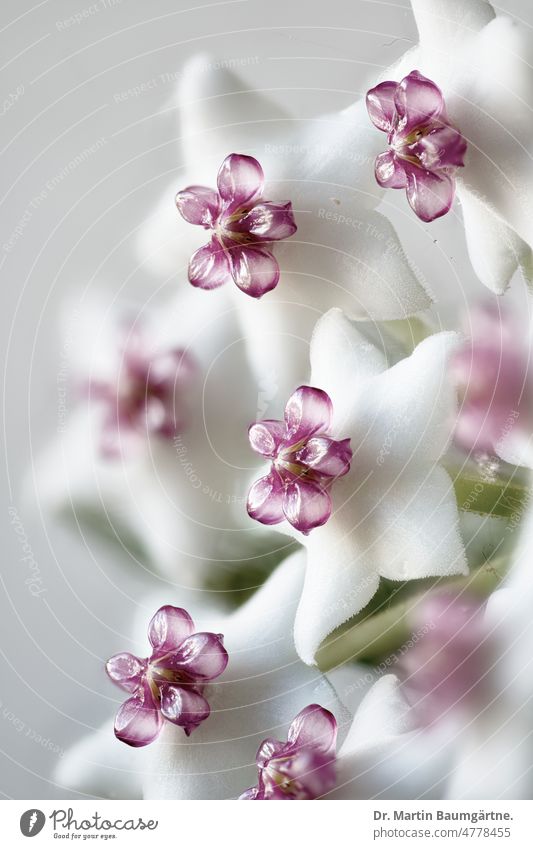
x=312 y=57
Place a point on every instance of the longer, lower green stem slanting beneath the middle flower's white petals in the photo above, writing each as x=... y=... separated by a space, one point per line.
x=382 y=636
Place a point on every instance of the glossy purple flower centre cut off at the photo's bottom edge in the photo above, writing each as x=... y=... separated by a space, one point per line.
x=304 y=766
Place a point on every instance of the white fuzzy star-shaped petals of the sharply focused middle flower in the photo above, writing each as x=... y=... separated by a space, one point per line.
x=394 y=513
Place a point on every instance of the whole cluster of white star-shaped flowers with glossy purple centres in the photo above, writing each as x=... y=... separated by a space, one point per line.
x=365 y=469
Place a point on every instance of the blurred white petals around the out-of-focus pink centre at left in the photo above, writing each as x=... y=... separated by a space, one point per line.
x=178 y=506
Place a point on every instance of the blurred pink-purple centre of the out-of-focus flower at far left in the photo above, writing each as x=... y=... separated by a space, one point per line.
x=146 y=393
